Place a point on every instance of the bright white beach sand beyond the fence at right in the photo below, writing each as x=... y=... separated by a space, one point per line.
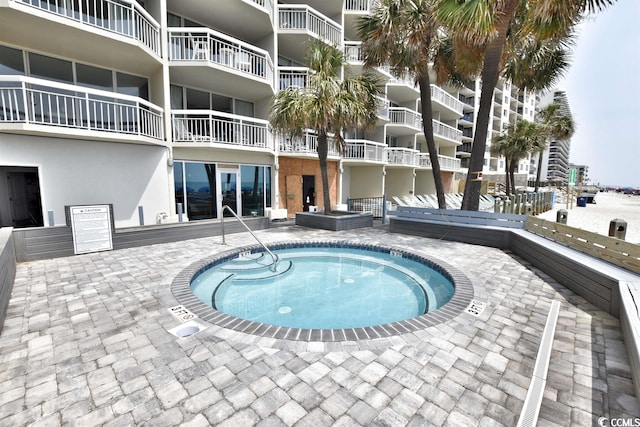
x=596 y=217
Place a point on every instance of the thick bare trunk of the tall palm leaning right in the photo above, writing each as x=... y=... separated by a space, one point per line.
x=490 y=72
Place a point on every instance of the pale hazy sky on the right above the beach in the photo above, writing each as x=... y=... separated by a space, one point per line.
x=602 y=86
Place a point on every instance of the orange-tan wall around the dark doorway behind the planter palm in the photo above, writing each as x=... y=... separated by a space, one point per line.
x=290 y=196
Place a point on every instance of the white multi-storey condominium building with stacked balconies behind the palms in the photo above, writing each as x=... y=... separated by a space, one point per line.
x=160 y=108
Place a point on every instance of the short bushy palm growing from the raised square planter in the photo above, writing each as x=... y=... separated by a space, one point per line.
x=329 y=105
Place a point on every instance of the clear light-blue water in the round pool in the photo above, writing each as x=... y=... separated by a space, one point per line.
x=323 y=288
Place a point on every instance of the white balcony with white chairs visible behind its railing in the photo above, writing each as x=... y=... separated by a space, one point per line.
x=238 y=67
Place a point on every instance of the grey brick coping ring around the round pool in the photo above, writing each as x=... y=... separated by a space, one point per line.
x=463 y=294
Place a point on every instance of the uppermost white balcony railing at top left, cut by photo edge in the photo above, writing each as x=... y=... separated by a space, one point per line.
x=124 y=17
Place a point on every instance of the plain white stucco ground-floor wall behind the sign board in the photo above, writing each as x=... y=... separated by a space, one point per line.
x=78 y=172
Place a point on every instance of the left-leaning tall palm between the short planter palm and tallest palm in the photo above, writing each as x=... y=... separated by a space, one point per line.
x=404 y=35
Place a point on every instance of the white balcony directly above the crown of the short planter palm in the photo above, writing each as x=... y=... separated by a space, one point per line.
x=296 y=23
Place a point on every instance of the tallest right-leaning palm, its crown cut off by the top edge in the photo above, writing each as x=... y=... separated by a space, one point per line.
x=489 y=23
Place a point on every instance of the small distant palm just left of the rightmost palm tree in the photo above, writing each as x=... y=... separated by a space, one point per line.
x=517 y=140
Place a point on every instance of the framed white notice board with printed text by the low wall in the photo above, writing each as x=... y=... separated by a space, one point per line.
x=91 y=227
